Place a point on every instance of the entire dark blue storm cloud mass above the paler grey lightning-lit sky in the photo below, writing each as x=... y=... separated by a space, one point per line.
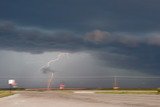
x=123 y=33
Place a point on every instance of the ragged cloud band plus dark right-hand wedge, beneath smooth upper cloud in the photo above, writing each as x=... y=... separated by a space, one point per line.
x=120 y=50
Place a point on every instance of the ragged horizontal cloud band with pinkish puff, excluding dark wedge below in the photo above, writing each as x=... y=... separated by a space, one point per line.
x=33 y=39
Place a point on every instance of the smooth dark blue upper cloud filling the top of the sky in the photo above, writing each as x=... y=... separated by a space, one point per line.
x=85 y=15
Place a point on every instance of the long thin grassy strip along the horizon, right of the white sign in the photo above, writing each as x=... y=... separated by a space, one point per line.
x=104 y=91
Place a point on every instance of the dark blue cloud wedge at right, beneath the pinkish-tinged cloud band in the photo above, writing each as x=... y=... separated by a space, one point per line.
x=143 y=58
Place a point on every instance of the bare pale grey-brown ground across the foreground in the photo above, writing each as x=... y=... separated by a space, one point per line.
x=78 y=99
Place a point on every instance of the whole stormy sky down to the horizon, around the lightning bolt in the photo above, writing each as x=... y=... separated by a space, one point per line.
x=103 y=38
